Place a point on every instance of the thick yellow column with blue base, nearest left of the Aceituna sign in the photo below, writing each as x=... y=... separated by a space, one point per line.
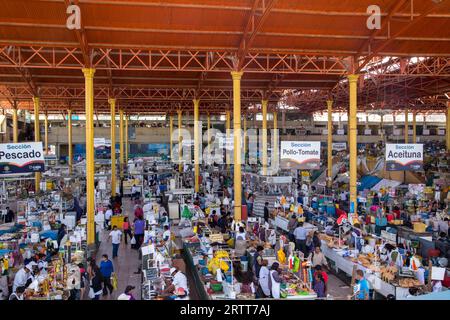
x=353 y=133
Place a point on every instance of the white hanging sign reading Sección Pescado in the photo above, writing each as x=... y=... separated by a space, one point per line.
x=21 y=157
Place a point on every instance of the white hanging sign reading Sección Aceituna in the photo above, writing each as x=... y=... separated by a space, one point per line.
x=404 y=157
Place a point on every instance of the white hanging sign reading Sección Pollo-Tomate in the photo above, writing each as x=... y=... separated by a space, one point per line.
x=300 y=155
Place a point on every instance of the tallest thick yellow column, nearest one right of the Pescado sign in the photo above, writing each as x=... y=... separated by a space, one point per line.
x=90 y=165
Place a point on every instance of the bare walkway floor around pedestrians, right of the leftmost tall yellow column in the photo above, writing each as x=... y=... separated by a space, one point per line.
x=126 y=264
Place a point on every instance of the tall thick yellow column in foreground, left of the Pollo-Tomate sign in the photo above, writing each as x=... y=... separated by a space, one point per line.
x=237 y=144
